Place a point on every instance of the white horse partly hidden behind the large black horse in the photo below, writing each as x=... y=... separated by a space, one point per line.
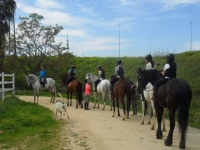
x=148 y=94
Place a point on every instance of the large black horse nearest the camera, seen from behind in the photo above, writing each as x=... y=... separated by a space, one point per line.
x=174 y=94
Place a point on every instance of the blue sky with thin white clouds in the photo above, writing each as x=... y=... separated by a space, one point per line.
x=117 y=28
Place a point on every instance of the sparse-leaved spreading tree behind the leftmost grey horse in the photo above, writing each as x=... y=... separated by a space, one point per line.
x=35 y=42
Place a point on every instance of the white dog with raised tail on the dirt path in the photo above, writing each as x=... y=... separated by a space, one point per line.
x=61 y=107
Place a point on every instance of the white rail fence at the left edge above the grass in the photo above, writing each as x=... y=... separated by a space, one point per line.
x=3 y=89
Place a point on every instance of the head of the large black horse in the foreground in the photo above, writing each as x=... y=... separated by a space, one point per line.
x=141 y=80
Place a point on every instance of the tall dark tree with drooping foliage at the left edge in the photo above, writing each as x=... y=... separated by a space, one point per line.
x=7 y=11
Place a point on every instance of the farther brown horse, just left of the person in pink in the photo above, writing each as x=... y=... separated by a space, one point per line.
x=75 y=87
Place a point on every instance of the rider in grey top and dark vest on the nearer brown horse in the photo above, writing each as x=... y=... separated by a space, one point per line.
x=119 y=73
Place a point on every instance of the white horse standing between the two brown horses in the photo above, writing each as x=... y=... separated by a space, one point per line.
x=103 y=88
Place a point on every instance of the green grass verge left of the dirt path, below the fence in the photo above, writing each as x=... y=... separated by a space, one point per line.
x=21 y=119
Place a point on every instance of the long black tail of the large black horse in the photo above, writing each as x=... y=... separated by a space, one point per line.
x=184 y=105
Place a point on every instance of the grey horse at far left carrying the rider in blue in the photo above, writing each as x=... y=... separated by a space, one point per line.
x=35 y=82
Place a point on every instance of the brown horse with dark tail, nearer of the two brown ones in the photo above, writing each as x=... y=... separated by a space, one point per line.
x=121 y=89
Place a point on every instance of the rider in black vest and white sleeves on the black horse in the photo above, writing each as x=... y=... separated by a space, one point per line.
x=169 y=72
